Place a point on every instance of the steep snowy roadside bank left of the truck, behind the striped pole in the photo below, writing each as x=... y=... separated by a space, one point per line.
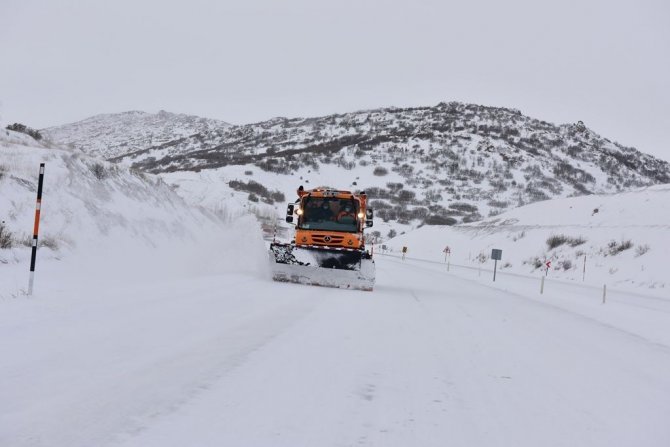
x=101 y=217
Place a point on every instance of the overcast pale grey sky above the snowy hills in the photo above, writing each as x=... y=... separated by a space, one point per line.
x=604 y=62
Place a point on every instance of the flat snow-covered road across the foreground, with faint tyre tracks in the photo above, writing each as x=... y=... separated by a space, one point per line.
x=428 y=358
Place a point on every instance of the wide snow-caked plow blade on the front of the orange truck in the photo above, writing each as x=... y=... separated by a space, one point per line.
x=322 y=267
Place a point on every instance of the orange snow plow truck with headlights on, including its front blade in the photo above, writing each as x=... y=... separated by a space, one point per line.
x=328 y=246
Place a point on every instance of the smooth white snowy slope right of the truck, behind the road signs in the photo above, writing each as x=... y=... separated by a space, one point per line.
x=624 y=237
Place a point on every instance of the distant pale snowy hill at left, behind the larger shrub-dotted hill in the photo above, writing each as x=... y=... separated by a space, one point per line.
x=114 y=134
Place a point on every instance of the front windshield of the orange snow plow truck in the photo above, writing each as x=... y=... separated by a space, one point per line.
x=329 y=213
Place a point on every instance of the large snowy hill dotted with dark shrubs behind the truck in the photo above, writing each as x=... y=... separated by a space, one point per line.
x=445 y=164
